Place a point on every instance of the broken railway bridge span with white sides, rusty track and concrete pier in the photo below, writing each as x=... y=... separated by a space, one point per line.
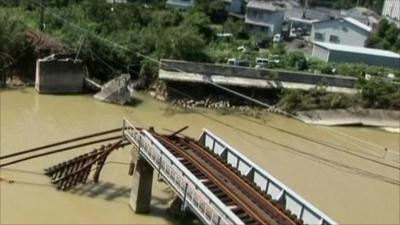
x=214 y=180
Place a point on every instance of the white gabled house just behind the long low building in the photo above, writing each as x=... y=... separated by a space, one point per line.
x=344 y=31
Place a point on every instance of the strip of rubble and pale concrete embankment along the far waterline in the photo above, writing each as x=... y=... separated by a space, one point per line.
x=387 y=120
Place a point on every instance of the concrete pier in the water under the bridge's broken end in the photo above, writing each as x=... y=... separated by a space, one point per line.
x=141 y=188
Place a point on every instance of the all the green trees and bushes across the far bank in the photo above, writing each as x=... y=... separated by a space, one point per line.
x=121 y=34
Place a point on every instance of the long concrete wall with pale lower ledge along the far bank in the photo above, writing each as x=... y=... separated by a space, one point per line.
x=184 y=71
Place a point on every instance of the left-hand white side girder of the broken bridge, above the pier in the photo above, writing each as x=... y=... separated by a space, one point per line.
x=193 y=193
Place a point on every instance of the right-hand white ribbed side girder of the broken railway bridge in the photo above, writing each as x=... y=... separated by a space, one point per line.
x=268 y=183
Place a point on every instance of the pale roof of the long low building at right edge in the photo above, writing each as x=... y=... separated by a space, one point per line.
x=358 y=50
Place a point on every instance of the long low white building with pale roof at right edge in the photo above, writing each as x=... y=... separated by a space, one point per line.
x=329 y=52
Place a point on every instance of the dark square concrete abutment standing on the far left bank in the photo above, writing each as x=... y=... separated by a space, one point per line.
x=59 y=76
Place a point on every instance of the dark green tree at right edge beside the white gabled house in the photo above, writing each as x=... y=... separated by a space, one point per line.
x=386 y=37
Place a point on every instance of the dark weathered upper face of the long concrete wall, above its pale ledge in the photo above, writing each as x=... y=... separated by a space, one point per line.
x=234 y=72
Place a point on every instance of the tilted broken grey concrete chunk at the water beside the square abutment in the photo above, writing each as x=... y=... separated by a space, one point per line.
x=116 y=91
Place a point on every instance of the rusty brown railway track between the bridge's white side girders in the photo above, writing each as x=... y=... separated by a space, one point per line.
x=244 y=198
